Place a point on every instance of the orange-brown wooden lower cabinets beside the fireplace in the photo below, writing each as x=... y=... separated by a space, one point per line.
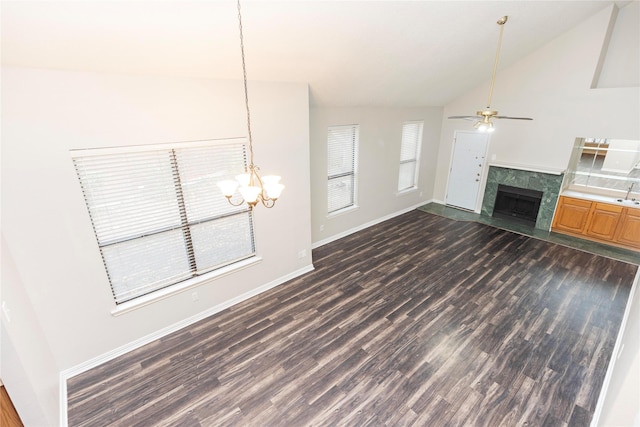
x=604 y=222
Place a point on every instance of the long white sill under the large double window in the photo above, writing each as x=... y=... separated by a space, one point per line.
x=161 y=294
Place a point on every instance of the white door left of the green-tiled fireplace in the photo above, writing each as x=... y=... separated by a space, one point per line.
x=469 y=151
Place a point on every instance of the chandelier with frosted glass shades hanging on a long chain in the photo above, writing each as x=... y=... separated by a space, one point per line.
x=253 y=188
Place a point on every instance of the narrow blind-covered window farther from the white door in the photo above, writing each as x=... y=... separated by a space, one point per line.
x=342 y=149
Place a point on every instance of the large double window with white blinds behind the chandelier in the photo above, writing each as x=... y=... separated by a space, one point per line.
x=159 y=217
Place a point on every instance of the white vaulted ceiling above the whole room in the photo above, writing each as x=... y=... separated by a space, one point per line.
x=352 y=53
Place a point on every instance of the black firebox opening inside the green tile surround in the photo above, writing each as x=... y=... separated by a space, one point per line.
x=518 y=204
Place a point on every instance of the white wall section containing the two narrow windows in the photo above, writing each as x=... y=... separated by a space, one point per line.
x=378 y=165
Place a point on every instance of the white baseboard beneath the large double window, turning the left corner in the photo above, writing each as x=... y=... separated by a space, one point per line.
x=112 y=354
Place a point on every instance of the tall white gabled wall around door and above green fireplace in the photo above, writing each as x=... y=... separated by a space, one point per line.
x=553 y=86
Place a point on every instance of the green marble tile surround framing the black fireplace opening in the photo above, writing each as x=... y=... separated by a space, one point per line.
x=548 y=183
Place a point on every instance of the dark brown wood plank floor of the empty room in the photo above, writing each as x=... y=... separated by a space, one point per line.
x=420 y=320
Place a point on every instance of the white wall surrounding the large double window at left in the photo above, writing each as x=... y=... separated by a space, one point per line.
x=46 y=225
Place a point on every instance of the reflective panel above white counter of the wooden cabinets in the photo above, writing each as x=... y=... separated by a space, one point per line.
x=608 y=166
